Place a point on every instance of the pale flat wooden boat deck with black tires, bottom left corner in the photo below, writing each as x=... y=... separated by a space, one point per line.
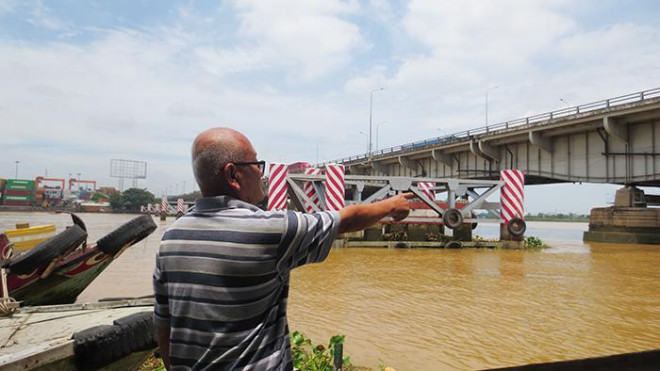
x=114 y=335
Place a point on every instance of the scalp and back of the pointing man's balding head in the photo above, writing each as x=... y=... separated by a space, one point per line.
x=211 y=151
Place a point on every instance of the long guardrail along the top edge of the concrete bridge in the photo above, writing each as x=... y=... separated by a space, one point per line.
x=530 y=120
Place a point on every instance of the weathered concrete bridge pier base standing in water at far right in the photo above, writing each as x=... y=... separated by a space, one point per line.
x=628 y=221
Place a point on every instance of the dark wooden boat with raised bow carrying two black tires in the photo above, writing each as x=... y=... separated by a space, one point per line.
x=57 y=270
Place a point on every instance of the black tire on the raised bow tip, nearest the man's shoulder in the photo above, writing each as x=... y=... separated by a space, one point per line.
x=127 y=234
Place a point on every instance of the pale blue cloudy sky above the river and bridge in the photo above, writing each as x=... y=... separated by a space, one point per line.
x=84 y=82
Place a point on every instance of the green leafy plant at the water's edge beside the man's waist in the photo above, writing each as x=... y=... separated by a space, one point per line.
x=308 y=356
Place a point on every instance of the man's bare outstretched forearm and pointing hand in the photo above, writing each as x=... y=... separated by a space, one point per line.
x=358 y=217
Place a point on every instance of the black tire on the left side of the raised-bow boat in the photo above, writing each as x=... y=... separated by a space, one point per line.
x=46 y=251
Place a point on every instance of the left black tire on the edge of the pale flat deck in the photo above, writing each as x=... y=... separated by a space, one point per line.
x=97 y=346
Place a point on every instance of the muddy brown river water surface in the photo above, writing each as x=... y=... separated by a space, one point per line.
x=427 y=309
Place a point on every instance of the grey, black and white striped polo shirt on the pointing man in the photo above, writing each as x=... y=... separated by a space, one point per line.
x=222 y=280
